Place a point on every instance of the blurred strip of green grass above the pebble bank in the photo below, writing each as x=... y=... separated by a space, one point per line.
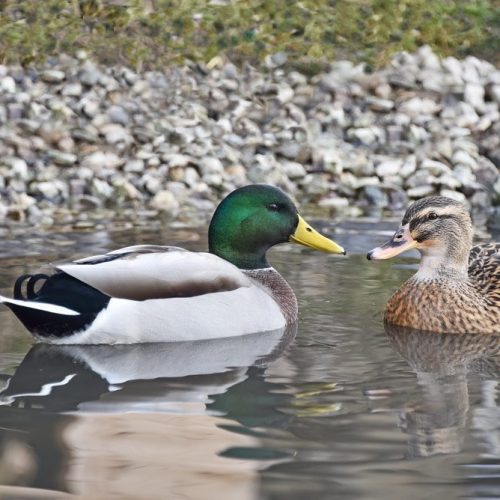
x=156 y=33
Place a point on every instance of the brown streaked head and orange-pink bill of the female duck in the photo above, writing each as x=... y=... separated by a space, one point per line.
x=440 y=228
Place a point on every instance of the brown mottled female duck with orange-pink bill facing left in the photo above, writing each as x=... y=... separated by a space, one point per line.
x=456 y=288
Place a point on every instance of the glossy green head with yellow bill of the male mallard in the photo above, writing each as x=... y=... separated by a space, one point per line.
x=252 y=219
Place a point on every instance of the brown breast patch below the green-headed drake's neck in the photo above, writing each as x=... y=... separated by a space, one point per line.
x=279 y=289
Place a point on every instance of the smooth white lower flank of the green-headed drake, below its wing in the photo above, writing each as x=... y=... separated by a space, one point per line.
x=210 y=316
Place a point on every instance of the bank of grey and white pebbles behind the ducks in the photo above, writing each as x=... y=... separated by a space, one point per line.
x=76 y=136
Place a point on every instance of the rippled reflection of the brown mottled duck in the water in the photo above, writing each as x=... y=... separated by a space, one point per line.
x=442 y=363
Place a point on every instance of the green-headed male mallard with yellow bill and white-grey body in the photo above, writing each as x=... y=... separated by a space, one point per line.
x=151 y=293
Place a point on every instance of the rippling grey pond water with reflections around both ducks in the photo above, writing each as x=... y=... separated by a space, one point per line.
x=336 y=408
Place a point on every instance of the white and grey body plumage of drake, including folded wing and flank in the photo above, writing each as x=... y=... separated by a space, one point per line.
x=216 y=299
